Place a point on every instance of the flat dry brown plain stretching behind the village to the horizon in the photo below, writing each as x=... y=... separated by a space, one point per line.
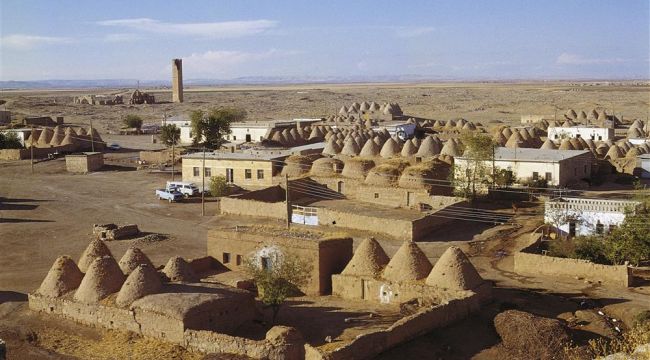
x=474 y=101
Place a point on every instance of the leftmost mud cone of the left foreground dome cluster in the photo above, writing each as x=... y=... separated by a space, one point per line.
x=63 y=277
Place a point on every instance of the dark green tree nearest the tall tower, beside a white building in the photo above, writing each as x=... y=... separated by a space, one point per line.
x=209 y=127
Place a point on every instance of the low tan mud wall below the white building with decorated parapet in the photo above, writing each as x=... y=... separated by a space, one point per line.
x=527 y=263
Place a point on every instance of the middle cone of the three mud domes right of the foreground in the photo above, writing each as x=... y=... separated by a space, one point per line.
x=408 y=264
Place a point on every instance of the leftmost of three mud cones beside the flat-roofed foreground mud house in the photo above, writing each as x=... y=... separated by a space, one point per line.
x=368 y=260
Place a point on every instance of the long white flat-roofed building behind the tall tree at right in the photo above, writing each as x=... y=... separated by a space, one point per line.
x=558 y=167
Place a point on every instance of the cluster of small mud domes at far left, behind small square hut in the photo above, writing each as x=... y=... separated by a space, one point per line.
x=67 y=138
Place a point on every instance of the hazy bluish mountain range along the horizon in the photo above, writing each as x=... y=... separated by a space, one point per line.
x=258 y=80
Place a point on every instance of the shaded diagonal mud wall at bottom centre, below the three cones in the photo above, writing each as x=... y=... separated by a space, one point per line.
x=369 y=345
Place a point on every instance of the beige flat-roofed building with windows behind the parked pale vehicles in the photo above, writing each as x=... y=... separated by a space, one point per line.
x=249 y=171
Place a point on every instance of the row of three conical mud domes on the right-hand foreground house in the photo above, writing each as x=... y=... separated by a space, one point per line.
x=453 y=271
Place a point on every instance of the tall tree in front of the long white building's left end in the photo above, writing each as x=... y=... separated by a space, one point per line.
x=479 y=152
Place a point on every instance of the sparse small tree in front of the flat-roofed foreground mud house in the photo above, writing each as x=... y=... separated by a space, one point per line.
x=277 y=275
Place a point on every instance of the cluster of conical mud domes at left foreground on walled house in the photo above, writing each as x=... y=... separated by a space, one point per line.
x=98 y=275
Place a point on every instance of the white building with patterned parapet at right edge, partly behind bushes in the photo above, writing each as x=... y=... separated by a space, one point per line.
x=577 y=216
